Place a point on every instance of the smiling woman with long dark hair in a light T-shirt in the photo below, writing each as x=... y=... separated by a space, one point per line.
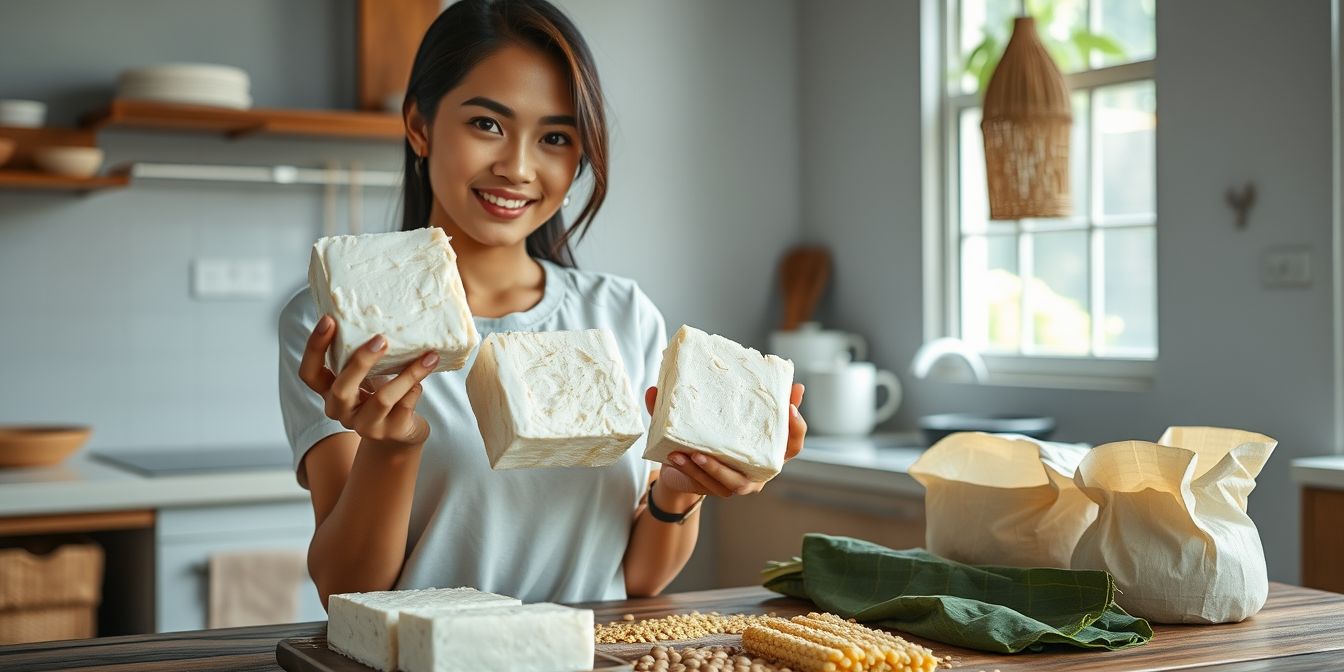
x=503 y=112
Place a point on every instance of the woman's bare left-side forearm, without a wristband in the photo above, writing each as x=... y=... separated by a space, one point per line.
x=362 y=545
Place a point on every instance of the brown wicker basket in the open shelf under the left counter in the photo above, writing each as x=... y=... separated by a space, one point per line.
x=50 y=596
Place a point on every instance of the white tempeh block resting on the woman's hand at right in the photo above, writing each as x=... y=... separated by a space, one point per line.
x=720 y=398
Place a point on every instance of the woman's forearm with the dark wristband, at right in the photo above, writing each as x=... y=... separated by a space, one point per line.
x=658 y=552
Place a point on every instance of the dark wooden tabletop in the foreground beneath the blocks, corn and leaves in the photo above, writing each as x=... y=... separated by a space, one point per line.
x=1299 y=630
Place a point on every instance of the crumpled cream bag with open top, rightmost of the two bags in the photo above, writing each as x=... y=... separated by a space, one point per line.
x=1173 y=526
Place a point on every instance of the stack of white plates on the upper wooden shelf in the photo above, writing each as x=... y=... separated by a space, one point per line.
x=190 y=84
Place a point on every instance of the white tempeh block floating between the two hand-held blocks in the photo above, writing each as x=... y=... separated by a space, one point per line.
x=553 y=400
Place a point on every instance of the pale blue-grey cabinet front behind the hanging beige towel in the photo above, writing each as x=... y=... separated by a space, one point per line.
x=189 y=537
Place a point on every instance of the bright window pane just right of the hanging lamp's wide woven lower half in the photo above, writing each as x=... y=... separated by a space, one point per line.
x=1127 y=118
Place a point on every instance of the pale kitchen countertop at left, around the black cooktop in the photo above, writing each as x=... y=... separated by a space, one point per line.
x=87 y=485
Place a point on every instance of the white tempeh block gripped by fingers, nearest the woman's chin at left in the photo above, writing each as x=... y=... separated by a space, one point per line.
x=404 y=286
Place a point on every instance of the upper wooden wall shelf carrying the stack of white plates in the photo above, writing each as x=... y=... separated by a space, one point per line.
x=161 y=116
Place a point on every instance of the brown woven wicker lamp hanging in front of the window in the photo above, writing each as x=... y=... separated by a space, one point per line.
x=1026 y=123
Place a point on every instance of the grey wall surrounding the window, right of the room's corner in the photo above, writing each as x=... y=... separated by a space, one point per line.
x=1243 y=95
